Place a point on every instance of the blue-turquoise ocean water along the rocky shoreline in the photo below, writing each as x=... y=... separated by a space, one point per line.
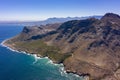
x=20 y=66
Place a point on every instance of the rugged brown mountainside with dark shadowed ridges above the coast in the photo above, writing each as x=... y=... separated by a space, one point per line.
x=92 y=46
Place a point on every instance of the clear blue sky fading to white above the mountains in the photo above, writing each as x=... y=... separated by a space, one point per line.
x=34 y=10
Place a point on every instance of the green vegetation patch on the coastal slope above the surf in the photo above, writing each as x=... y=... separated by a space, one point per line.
x=39 y=47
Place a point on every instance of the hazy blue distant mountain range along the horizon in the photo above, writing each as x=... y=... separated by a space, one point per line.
x=47 y=21
